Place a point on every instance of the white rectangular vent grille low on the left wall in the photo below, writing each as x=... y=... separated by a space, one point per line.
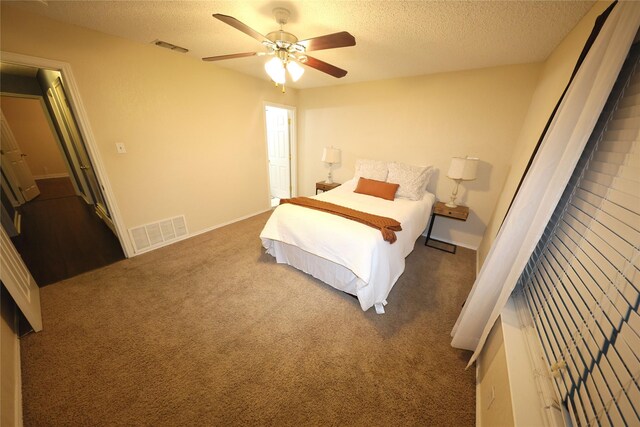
x=154 y=235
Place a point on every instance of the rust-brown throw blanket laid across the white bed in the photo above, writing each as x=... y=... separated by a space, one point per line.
x=387 y=226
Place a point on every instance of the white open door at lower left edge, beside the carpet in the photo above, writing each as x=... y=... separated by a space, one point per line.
x=16 y=278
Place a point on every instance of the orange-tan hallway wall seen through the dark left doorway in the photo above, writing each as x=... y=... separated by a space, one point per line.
x=34 y=135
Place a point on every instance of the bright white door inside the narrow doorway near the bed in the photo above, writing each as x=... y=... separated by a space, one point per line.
x=278 y=148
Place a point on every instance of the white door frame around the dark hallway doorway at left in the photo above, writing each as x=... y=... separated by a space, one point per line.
x=77 y=107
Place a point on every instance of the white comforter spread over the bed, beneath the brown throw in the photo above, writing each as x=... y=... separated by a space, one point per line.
x=356 y=246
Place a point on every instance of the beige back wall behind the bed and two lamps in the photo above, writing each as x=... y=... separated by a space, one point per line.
x=422 y=120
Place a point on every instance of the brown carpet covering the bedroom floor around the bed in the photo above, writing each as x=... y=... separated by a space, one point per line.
x=211 y=331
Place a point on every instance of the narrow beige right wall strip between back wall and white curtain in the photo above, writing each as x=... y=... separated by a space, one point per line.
x=553 y=79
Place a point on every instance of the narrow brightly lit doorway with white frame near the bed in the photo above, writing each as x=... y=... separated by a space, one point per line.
x=281 y=152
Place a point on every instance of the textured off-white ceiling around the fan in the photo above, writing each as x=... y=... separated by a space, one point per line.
x=394 y=38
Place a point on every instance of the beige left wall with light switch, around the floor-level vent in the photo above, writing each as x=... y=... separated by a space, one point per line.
x=194 y=132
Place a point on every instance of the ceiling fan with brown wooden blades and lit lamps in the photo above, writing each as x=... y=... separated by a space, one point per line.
x=287 y=50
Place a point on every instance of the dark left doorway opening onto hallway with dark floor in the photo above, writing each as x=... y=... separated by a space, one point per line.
x=63 y=226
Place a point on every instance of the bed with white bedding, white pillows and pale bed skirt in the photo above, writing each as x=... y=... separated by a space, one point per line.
x=345 y=254
